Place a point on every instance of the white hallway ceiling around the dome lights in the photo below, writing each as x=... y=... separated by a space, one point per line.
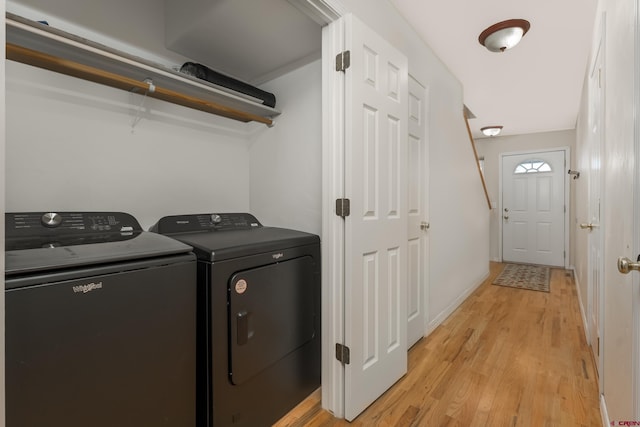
x=534 y=87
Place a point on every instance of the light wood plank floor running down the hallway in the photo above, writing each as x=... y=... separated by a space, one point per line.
x=506 y=357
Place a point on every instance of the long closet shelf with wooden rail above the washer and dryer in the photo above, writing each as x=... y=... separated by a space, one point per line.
x=35 y=44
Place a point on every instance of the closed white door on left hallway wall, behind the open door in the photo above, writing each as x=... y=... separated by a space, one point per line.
x=418 y=245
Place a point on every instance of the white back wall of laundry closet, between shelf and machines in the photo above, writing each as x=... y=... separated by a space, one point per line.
x=70 y=146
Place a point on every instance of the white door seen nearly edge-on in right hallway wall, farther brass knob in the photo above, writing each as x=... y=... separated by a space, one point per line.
x=594 y=224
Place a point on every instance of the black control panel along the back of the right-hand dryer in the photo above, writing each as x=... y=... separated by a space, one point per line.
x=205 y=222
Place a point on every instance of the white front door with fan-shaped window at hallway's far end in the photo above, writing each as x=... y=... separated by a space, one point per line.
x=533 y=208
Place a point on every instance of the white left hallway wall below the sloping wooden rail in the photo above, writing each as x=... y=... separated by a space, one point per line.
x=459 y=213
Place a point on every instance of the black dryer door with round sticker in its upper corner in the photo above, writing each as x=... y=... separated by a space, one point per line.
x=271 y=314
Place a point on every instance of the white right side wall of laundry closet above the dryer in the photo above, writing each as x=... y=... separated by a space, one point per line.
x=286 y=161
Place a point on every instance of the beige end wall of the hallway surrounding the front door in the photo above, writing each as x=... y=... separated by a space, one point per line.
x=491 y=148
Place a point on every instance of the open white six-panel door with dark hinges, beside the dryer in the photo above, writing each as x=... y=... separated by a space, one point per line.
x=376 y=91
